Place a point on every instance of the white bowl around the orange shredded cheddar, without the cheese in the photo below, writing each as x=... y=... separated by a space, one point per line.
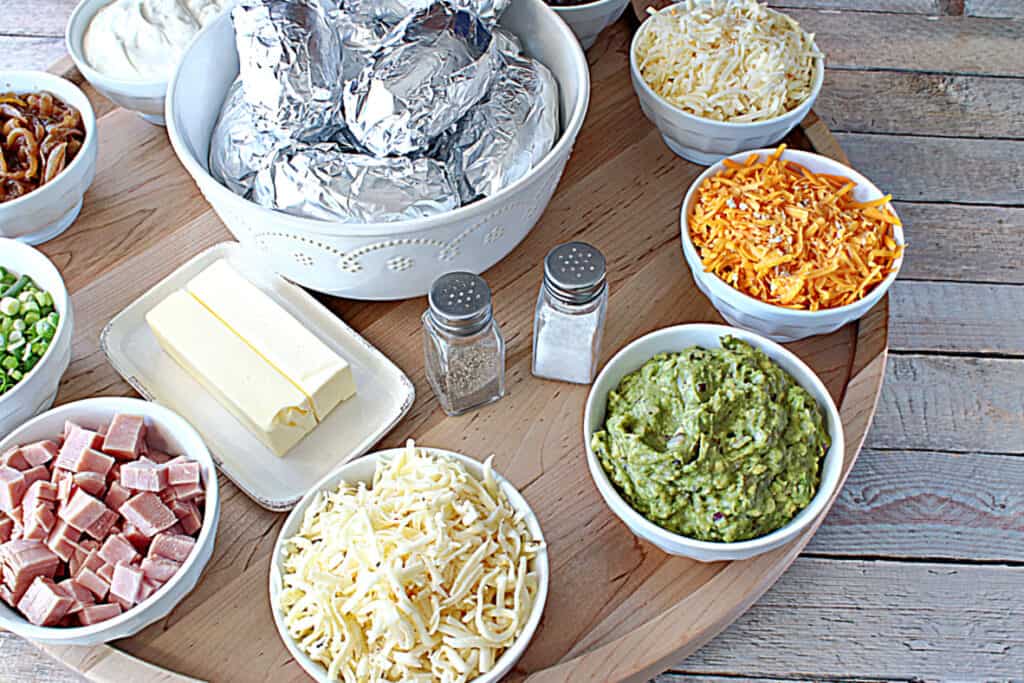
x=777 y=323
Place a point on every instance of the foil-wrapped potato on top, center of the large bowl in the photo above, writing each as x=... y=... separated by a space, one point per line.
x=426 y=75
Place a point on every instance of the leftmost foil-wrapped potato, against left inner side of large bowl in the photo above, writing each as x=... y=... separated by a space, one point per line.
x=242 y=144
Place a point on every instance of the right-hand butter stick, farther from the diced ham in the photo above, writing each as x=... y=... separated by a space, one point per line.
x=271 y=331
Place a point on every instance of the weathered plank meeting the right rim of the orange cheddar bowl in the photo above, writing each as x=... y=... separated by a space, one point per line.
x=963 y=243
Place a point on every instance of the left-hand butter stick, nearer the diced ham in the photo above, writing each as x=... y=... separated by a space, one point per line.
x=253 y=392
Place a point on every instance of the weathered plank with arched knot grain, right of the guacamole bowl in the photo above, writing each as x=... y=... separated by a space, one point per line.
x=914 y=504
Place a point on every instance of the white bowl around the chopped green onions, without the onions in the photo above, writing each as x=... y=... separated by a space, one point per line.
x=37 y=391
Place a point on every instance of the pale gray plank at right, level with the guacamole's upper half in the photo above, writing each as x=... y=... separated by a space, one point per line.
x=966 y=405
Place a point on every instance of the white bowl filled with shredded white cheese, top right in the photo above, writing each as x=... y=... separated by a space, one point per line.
x=718 y=77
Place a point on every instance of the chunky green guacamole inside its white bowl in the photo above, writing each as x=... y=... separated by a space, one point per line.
x=715 y=445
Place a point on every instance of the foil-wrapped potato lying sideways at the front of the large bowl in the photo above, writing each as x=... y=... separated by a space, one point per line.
x=328 y=182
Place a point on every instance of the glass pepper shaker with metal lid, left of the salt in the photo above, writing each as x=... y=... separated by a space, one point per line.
x=464 y=352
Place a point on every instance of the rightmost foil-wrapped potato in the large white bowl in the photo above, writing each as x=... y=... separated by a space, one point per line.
x=510 y=133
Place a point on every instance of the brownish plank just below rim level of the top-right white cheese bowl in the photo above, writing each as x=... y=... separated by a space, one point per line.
x=919 y=104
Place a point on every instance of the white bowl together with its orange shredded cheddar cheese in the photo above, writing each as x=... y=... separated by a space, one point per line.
x=790 y=244
